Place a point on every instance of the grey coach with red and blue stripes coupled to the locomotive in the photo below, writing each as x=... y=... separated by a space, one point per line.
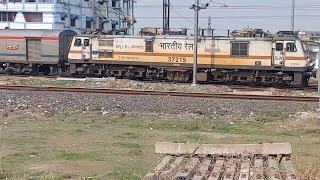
x=34 y=51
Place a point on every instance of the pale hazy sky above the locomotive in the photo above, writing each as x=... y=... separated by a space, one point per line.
x=273 y=15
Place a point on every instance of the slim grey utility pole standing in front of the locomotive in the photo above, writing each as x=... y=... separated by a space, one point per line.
x=196 y=7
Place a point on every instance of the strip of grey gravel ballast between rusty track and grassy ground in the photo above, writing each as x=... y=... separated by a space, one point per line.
x=82 y=102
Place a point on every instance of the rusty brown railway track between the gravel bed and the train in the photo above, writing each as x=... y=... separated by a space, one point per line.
x=161 y=93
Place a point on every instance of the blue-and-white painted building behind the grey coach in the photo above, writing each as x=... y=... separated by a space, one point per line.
x=46 y=14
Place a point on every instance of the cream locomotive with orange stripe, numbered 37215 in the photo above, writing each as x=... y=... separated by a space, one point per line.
x=280 y=59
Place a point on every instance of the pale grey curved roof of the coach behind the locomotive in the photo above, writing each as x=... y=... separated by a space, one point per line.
x=31 y=33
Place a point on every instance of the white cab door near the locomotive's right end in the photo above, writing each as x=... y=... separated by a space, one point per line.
x=278 y=54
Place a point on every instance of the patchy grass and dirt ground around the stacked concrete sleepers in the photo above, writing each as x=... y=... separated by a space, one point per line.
x=93 y=145
